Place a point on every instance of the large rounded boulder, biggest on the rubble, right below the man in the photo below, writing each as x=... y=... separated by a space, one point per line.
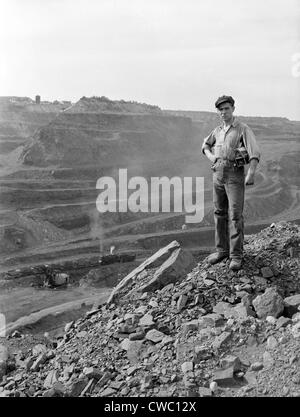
x=270 y=303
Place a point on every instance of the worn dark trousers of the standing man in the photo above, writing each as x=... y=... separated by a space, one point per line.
x=228 y=198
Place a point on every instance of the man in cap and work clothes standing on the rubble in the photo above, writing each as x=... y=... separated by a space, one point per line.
x=223 y=146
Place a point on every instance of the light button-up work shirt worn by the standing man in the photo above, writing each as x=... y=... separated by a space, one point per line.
x=223 y=141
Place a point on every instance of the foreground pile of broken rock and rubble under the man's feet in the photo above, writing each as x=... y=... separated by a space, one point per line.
x=212 y=332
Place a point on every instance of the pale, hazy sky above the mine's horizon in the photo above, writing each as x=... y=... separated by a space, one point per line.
x=177 y=54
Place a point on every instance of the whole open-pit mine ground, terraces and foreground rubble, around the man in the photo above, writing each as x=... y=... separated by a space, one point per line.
x=127 y=296
